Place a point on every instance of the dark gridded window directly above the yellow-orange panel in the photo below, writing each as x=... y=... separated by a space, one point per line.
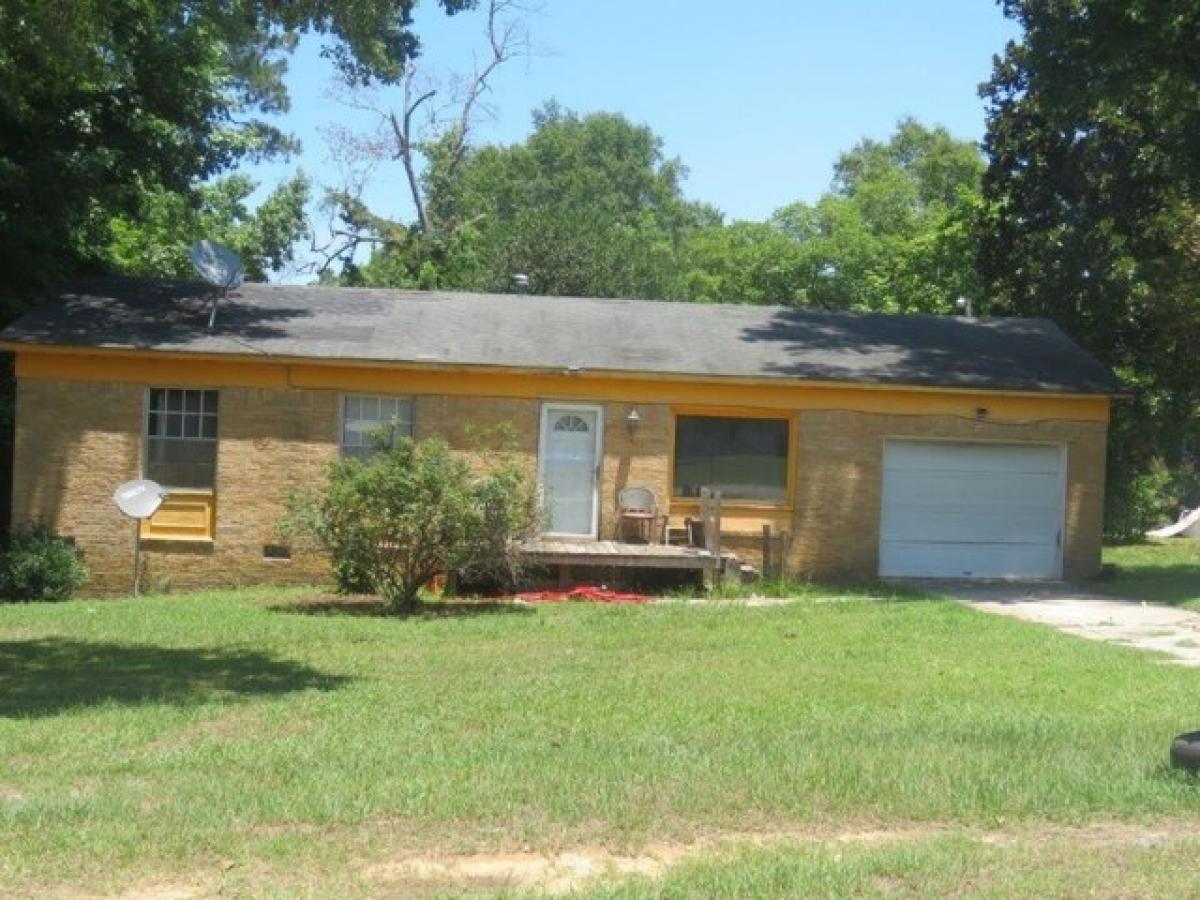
x=182 y=437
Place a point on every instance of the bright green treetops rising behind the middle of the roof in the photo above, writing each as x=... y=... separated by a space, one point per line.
x=590 y=206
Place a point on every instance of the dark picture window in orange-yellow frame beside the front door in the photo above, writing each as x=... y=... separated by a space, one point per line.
x=743 y=459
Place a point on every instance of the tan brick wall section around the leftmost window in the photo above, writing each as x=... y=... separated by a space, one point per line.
x=76 y=442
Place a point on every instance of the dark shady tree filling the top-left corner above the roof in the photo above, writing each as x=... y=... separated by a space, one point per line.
x=104 y=103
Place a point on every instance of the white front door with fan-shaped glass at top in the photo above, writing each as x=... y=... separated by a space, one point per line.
x=569 y=464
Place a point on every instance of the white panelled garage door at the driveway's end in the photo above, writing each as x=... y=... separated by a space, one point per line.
x=971 y=511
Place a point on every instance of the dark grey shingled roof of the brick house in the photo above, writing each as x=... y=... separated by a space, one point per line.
x=549 y=333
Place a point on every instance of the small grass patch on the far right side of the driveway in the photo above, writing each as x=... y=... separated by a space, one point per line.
x=1163 y=572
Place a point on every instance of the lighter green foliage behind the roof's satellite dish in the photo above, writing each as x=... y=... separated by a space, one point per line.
x=157 y=239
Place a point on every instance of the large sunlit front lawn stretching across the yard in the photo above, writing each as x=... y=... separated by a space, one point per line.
x=259 y=740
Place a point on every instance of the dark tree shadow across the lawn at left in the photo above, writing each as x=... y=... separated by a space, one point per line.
x=50 y=676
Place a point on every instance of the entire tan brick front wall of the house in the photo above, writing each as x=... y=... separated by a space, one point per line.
x=77 y=441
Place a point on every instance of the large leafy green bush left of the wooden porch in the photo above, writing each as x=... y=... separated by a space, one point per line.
x=417 y=511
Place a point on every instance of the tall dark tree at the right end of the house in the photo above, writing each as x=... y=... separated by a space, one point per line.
x=1093 y=212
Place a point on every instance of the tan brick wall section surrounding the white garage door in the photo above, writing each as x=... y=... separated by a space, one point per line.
x=839 y=484
